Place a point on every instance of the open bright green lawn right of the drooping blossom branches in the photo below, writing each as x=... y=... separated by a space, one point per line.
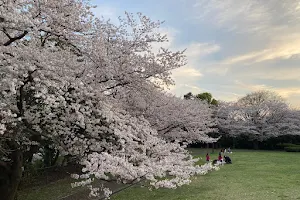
x=253 y=175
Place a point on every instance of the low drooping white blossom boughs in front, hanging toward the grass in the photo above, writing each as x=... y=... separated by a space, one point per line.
x=111 y=143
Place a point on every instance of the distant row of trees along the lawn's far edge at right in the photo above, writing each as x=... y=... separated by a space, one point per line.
x=259 y=117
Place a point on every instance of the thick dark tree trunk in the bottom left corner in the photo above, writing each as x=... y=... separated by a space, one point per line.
x=10 y=176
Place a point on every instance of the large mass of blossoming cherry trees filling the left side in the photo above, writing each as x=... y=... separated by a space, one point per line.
x=77 y=85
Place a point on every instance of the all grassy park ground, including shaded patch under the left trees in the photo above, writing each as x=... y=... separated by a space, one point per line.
x=257 y=175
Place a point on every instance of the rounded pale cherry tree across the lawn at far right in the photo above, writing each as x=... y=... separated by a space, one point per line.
x=259 y=115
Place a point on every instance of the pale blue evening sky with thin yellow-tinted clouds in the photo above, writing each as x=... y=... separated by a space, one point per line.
x=233 y=47
